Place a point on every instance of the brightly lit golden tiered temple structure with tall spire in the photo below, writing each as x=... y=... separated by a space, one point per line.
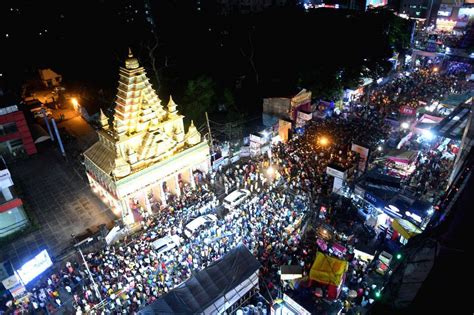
x=144 y=153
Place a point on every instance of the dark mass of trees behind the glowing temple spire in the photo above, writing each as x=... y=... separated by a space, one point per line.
x=249 y=56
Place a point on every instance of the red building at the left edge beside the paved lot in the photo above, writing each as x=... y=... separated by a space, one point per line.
x=15 y=136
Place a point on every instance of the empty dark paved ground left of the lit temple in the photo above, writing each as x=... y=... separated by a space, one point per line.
x=59 y=199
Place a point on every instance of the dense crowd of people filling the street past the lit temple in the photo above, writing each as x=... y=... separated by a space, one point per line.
x=284 y=184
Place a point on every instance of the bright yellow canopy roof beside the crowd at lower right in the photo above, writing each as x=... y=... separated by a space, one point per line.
x=328 y=270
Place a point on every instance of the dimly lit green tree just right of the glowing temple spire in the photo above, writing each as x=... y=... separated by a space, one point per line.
x=199 y=97
